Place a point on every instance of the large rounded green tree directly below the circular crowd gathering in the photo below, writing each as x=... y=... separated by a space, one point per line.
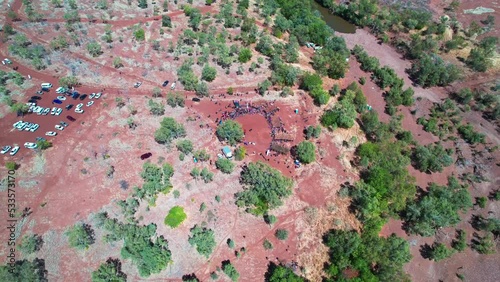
x=265 y=187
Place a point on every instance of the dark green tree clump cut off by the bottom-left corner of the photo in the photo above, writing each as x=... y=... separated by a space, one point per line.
x=24 y=270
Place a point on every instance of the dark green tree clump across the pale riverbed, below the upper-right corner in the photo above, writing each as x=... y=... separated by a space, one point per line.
x=431 y=70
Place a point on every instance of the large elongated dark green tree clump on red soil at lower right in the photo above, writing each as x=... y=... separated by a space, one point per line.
x=437 y=208
